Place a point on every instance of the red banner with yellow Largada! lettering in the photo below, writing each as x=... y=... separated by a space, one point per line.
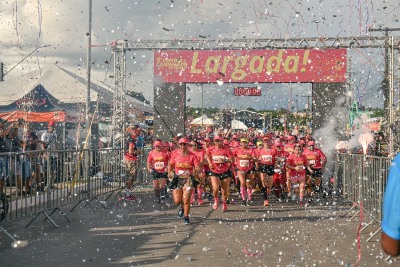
x=283 y=65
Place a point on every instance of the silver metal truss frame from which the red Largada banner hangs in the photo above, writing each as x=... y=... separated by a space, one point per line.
x=390 y=43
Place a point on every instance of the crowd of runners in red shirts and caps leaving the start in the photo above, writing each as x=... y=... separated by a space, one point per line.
x=287 y=167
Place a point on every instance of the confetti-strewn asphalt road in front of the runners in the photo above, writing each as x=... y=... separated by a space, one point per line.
x=144 y=233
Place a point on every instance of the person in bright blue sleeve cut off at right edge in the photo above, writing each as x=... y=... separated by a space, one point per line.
x=390 y=240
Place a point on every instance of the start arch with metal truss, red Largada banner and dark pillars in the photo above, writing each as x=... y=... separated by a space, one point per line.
x=320 y=61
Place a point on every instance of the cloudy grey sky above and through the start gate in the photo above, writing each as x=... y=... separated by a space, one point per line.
x=27 y=25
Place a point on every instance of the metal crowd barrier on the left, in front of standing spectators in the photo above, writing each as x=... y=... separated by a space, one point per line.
x=42 y=182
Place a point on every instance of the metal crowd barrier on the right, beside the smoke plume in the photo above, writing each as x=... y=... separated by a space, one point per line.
x=361 y=181
